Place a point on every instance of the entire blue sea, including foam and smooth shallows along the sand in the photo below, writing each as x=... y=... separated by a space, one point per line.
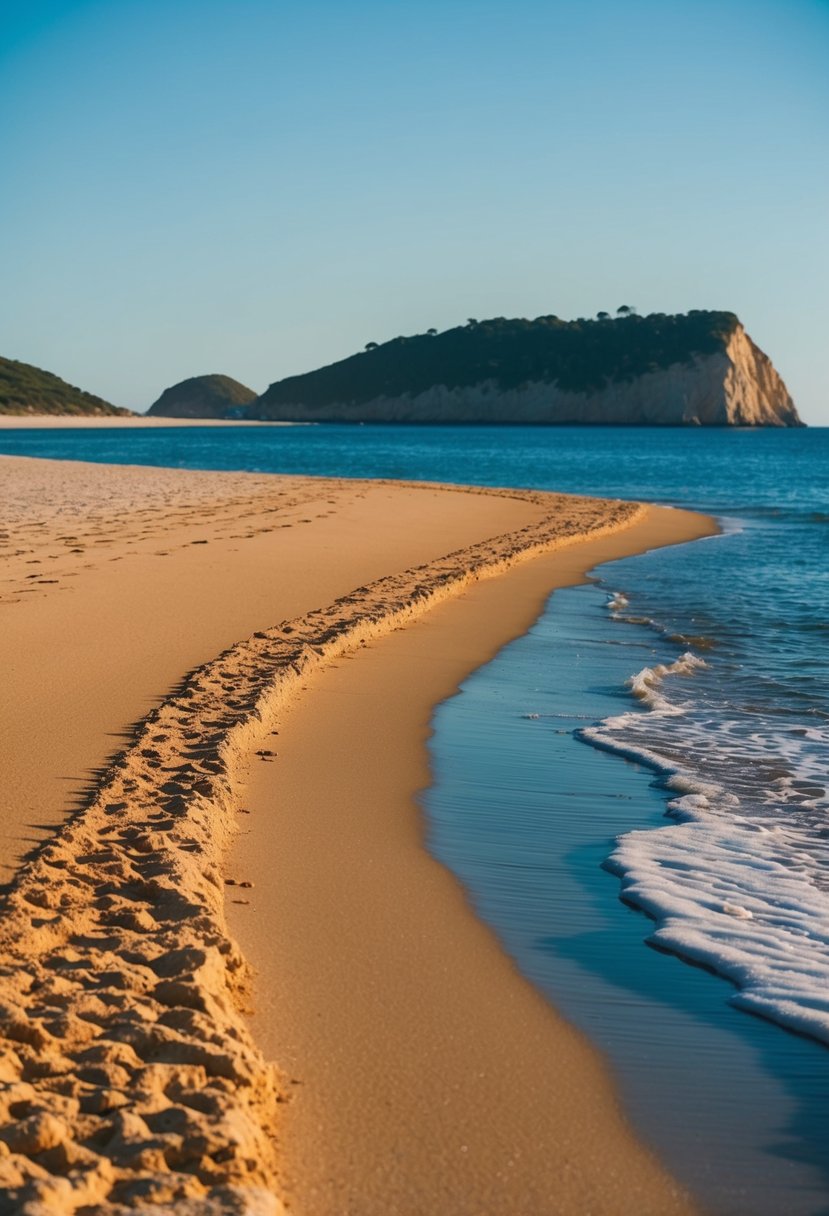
x=635 y=793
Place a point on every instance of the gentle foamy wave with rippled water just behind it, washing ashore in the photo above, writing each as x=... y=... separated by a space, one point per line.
x=740 y=882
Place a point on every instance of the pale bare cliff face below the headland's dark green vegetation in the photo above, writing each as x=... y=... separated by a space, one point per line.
x=736 y=386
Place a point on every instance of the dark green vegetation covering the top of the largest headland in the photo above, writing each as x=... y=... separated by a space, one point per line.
x=580 y=357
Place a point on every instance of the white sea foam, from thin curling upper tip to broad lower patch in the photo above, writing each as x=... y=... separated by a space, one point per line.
x=745 y=894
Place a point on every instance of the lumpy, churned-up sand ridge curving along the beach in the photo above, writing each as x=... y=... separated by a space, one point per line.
x=100 y=927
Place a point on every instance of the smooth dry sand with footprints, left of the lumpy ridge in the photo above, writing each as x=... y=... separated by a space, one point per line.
x=117 y=582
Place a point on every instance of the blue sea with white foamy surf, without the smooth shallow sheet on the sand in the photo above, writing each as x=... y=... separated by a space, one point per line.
x=732 y=707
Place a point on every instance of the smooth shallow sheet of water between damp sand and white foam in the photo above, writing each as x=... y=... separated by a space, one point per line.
x=526 y=814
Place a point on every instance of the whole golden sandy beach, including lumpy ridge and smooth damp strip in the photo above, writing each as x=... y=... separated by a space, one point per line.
x=160 y=628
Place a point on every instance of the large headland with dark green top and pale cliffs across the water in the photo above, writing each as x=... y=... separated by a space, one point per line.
x=696 y=370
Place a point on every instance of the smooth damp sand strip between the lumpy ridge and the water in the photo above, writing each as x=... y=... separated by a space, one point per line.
x=427 y=1014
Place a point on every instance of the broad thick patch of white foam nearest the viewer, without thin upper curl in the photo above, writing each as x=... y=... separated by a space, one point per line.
x=747 y=915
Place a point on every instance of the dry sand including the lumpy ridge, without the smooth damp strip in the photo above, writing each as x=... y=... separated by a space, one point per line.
x=131 y=1079
